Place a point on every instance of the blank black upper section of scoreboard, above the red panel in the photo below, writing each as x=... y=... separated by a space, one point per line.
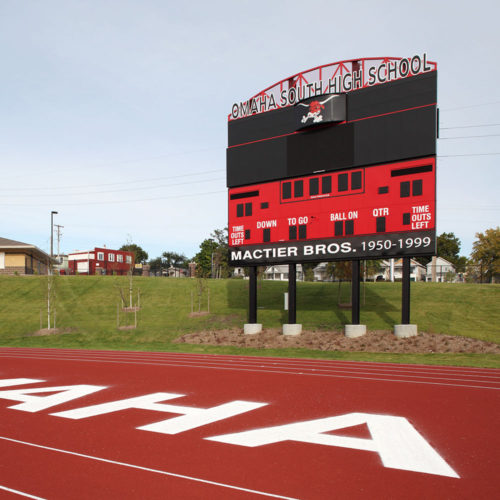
x=387 y=122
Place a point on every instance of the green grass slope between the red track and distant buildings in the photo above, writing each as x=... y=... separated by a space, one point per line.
x=88 y=305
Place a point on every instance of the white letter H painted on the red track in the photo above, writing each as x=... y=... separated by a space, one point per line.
x=191 y=417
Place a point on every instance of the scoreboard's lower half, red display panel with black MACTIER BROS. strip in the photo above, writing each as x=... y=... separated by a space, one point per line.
x=370 y=212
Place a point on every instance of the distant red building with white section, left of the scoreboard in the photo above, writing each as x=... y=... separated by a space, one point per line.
x=101 y=261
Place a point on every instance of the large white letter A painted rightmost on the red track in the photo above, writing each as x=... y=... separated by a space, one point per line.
x=396 y=441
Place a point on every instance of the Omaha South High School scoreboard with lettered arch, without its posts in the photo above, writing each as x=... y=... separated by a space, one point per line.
x=345 y=175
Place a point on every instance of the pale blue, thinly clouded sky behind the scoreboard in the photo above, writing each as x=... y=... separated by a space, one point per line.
x=114 y=112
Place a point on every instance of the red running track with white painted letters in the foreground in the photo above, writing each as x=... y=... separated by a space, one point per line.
x=455 y=410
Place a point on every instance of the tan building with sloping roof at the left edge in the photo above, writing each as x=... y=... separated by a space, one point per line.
x=22 y=258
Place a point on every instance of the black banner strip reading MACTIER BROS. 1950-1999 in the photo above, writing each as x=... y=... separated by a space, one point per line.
x=379 y=246
